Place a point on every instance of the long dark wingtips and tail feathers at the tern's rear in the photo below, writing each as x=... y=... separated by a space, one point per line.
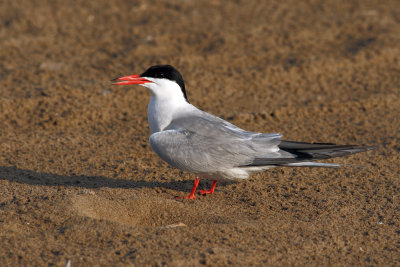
x=304 y=153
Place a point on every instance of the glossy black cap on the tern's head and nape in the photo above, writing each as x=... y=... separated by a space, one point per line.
x=166 y=72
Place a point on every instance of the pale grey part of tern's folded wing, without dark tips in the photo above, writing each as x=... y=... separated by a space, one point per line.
x=207 y=144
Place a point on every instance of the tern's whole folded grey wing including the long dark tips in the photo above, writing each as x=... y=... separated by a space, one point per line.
x=205 y=143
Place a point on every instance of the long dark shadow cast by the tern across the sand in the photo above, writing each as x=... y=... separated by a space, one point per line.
x=14 y=174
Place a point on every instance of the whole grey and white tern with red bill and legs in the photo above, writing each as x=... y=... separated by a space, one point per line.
x=211 y=148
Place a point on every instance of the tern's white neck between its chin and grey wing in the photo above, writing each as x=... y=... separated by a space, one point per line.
x=160 y=112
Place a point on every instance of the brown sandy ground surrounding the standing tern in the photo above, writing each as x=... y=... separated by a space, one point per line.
x=79 y=182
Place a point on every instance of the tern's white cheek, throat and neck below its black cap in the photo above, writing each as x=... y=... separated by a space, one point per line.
x=166 y=103
